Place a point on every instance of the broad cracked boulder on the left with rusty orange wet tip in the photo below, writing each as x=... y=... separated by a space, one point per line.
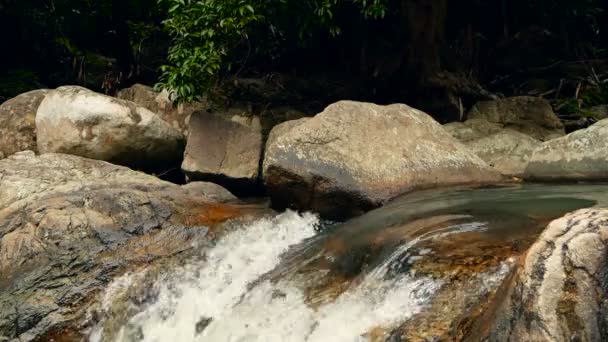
x=70 y=225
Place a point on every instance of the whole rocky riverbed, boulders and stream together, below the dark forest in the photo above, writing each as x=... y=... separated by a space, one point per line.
x=364 y=221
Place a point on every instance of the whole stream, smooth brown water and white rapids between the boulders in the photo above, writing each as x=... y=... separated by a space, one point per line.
x=402 y=272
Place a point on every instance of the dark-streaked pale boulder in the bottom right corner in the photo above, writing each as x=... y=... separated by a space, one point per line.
x=559 y=294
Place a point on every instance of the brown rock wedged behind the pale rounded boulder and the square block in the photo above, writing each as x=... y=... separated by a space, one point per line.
x=160 y=103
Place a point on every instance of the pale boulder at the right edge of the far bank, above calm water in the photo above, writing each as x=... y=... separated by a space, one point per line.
x=581 y=155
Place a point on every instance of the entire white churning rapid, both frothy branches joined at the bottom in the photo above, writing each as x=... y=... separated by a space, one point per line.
x=223 y=297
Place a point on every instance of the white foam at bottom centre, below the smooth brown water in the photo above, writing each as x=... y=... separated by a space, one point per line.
x=280 y=313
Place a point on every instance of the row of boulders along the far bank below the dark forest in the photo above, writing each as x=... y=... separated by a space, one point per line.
x=348 y=159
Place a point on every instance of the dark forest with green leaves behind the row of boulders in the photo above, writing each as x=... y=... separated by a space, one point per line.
x=439 y=55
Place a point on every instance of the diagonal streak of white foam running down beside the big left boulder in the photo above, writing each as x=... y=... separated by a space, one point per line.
x=210 y=290
